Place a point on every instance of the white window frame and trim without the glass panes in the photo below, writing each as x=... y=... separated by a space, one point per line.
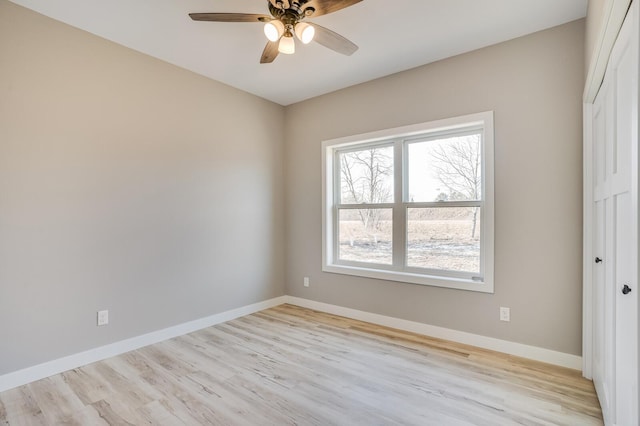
x=399 y=137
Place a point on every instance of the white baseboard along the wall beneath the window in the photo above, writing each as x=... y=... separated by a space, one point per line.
x=518 y=349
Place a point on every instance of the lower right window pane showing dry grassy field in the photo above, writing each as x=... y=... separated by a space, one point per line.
x=446 y=238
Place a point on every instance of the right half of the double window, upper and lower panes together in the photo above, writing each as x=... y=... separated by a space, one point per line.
x=443 y=236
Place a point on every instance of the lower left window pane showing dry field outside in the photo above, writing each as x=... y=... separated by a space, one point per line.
x=365 y=235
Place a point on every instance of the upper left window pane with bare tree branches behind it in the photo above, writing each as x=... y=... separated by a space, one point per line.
x=366 y=176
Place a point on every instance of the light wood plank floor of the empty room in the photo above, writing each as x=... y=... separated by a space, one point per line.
x=290 y=365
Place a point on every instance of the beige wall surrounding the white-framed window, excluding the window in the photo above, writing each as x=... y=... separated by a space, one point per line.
x=534 y=86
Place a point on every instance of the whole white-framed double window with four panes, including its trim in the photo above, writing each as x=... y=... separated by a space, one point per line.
x=412 y=204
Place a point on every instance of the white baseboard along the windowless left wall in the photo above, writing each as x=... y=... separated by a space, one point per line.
x=40 y=371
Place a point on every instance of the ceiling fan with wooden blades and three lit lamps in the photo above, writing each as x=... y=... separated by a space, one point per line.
x=286 y=21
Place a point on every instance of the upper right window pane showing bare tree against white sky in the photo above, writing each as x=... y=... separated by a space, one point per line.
x=447 y=169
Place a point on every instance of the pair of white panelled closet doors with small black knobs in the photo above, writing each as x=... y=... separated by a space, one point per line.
x=615 y=273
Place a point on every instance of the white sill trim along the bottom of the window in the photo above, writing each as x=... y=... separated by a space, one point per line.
x=412 y=278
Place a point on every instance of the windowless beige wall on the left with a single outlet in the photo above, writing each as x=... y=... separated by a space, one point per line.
x=126 y=184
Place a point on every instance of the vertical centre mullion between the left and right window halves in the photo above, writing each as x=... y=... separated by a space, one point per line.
x=399 y=213
